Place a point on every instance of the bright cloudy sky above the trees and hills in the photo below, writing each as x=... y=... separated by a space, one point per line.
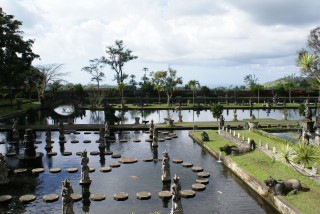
x=216 y=42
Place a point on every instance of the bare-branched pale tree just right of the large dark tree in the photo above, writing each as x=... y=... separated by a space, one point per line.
x=49 y=73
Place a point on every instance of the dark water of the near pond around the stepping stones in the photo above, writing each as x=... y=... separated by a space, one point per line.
x=225 y=193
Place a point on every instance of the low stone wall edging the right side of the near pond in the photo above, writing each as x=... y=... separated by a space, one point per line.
x=277 y=202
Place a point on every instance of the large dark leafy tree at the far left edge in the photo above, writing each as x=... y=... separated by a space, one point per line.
x=16 y=54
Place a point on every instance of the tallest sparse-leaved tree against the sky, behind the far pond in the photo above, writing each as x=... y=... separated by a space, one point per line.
x=117 y=56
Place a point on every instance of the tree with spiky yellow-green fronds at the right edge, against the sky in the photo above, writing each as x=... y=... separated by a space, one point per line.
x=308 y=59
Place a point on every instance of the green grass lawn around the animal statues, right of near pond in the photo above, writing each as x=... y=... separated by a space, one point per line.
x=262 y=166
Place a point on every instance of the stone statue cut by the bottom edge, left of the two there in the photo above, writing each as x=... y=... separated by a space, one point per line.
x=67 y=201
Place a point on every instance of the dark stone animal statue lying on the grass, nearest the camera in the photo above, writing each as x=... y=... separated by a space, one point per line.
x=283 y=186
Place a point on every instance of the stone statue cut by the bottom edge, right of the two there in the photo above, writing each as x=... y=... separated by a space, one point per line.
x=176 y=196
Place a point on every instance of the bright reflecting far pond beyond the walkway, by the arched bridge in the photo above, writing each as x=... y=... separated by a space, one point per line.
x=68 y=115
